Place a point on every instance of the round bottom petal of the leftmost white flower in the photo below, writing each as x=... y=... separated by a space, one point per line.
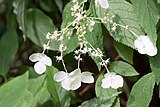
x=40 y=68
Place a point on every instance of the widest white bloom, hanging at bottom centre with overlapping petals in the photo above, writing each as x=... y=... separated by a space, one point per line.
x=72 y=81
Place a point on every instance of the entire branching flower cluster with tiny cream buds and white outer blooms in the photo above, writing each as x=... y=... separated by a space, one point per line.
x=74 y=79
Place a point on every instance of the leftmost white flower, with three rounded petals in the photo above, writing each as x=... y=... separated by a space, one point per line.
x=41 y=61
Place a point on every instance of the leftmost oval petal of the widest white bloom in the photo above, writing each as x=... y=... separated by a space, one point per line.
x=60 y=76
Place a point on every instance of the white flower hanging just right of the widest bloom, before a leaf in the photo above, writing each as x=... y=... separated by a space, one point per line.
x=112 y=80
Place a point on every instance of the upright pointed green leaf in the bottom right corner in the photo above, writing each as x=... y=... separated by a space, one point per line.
x=142 y=91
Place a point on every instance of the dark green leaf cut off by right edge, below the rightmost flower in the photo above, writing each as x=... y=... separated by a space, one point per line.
x=155 y=62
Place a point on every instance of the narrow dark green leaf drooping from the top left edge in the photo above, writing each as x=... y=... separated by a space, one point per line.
x=20 y=11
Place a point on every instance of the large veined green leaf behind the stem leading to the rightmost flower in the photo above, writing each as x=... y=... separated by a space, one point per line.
x=123 y=12
